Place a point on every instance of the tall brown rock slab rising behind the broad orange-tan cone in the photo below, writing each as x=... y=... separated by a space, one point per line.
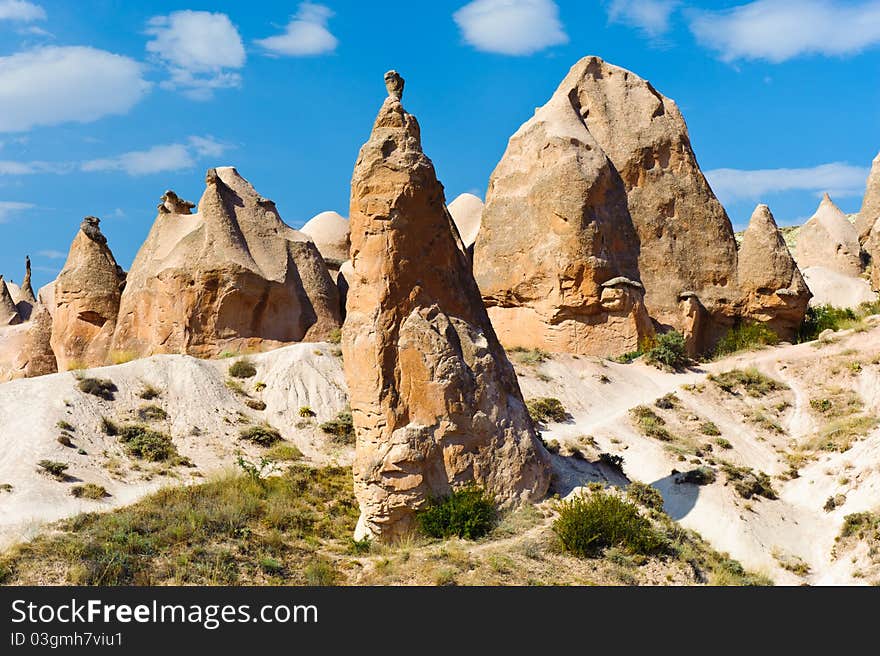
x=687 y=241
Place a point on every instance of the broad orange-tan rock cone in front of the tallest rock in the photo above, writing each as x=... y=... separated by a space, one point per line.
x=557 y=254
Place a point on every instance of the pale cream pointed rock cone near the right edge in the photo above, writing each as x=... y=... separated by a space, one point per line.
x=829 y=240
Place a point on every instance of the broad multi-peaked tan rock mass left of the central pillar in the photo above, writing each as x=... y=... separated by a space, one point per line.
x=232 y=276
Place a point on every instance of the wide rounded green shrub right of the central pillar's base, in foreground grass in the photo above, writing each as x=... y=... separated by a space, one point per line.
x=587 y=525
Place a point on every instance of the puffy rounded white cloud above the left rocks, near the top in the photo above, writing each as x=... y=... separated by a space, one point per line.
x=201 y=51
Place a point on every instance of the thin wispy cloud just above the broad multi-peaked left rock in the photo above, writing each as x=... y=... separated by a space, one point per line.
x=158 y=159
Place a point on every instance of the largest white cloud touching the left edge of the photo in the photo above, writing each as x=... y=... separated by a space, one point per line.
x=53 y=85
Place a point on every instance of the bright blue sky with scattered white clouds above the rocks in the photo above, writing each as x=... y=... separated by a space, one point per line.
x=107 y=103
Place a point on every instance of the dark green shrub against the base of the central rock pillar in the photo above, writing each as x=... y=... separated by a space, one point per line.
x=468 y=513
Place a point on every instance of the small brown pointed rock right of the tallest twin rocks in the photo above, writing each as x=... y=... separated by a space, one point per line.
x=774 y=291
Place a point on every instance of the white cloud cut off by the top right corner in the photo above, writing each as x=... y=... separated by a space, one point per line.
x=777 y=30
